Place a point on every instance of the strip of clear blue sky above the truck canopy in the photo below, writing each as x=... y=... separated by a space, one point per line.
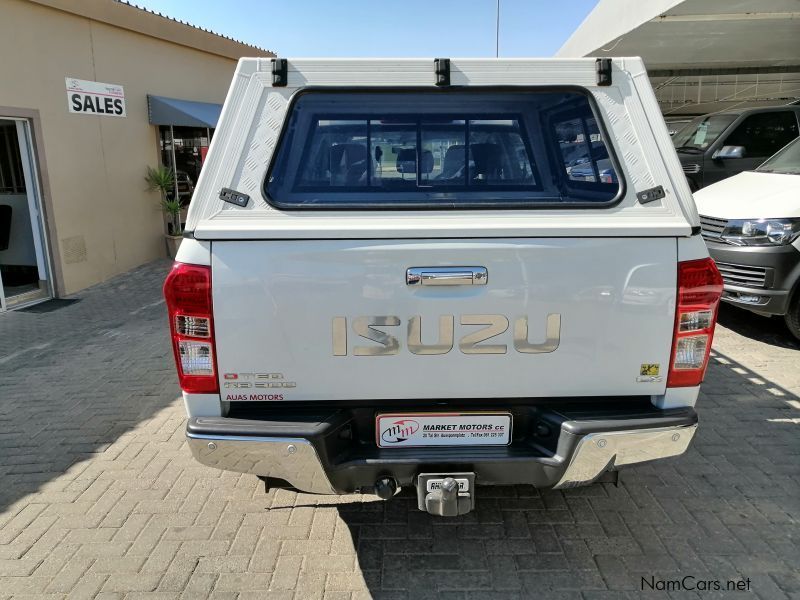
x=407 y=28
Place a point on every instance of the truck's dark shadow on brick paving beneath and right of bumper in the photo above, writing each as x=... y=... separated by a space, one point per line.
x=726 y=511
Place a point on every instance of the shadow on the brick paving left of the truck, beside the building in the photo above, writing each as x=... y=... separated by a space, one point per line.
x=73 y=380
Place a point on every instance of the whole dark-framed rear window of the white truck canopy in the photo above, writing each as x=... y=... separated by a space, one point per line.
x=454 y=149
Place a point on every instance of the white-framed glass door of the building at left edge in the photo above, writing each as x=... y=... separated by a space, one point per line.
x=24 y=268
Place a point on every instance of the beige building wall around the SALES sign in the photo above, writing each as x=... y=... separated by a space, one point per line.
x=96 y=164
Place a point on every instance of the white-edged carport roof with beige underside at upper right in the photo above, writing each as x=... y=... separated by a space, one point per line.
x=702 y=56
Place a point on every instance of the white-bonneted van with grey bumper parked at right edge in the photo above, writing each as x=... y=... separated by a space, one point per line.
x=751 y=224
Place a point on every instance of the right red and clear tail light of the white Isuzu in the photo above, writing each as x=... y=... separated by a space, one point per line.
x=699 y=291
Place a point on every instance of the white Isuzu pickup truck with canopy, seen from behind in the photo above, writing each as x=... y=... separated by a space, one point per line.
x=440 y=273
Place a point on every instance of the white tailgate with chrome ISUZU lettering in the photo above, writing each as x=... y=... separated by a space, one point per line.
x=289 y=316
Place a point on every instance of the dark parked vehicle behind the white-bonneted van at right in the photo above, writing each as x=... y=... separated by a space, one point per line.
x=714 y=147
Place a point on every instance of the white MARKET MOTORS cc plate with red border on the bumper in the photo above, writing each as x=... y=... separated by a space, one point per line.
x=399 y=430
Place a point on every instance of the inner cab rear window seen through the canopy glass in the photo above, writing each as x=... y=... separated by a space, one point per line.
x=394 y=149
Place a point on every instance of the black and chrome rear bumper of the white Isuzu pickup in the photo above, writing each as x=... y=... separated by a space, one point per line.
x=326 y=454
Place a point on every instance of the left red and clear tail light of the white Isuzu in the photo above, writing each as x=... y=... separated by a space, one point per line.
x=187 y=291
